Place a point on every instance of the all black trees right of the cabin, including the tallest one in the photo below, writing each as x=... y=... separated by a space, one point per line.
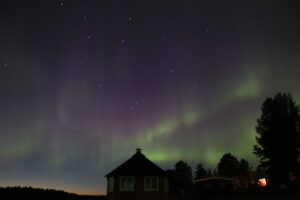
x=277 y=146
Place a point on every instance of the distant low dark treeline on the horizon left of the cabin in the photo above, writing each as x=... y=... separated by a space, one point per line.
x=29 y=193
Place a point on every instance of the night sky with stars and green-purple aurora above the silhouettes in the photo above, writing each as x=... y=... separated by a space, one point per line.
x=85 y=83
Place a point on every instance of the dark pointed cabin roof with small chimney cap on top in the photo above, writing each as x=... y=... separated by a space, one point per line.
x=137 y=165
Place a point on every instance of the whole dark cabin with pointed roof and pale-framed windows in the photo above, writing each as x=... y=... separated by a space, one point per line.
x=137 y=178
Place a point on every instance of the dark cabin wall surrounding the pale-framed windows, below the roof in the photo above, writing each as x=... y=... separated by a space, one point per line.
x=138 y=193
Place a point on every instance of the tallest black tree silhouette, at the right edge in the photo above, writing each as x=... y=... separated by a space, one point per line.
x=278 y=140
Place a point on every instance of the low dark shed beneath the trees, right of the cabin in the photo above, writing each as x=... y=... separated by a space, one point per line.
x=214 y=186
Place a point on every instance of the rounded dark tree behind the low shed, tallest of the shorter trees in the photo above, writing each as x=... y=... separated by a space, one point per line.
x=228 y=166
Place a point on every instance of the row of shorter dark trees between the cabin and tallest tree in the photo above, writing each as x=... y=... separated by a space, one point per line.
x=182 y=176
